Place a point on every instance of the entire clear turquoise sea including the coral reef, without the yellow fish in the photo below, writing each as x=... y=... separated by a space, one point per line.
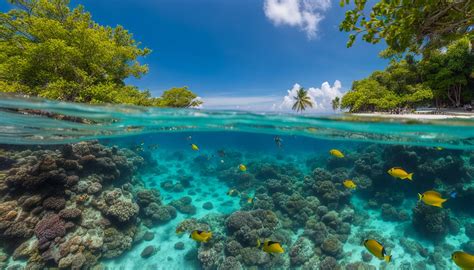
x=120 y=187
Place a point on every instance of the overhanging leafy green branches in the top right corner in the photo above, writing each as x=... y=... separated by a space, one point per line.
x=409 y=26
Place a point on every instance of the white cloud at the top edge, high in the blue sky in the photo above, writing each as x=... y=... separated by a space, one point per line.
x=305 y=14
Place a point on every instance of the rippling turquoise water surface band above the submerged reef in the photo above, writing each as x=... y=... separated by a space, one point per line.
x=36 y=121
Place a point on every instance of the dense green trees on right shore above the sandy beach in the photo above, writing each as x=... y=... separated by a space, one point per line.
x=445 y=77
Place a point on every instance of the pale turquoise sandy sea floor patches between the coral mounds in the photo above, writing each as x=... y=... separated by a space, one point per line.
x=210 y=189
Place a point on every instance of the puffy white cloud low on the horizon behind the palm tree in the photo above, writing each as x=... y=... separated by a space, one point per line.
x=320 y=97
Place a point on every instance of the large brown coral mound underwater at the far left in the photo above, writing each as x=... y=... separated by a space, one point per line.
x=69 y=206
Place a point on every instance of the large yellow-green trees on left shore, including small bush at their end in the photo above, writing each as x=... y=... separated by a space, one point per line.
x=50 y=50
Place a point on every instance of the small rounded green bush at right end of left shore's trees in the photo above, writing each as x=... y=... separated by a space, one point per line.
x=179 y=98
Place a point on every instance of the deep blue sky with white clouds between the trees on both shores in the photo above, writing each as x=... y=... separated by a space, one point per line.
x=242 y=54
